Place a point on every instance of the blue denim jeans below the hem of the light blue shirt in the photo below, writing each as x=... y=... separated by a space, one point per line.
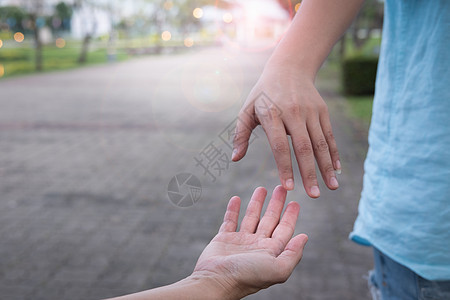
x=392 y=281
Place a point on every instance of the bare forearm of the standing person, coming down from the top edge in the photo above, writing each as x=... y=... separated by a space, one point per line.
x=317 y=26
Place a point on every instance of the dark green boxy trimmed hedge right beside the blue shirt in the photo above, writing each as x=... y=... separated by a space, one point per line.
x=359 y=74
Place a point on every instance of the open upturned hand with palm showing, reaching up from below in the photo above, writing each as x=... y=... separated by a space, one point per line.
x=262 y=253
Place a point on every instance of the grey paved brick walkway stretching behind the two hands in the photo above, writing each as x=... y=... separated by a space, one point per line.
x=86 y=158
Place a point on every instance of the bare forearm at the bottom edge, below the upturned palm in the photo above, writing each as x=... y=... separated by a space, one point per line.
x=196 y=287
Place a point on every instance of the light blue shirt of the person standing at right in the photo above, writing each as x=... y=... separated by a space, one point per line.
x=404 y=209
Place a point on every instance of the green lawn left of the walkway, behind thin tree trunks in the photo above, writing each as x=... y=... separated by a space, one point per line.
x=17 y=61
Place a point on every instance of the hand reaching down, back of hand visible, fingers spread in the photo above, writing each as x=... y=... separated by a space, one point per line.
x=285 y=103
